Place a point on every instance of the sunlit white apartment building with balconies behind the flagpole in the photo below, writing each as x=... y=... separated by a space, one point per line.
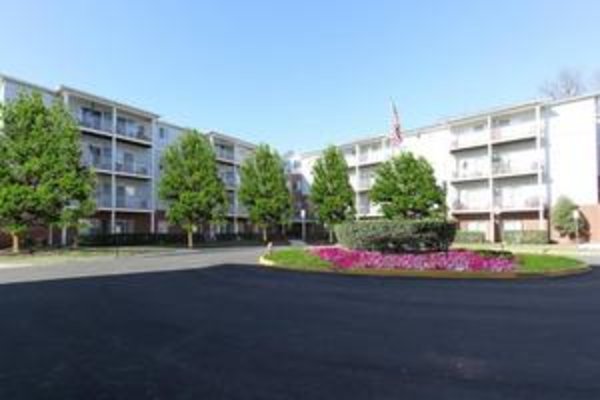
x=503 y=169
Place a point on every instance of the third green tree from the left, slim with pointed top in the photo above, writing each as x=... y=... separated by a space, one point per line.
x=264 y=191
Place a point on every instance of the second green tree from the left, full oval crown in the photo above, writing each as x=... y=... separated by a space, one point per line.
x=190 y=184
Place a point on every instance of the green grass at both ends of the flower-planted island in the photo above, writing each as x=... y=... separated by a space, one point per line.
x=300 y=259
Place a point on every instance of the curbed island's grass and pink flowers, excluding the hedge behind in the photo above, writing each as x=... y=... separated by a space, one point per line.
x=453 y=263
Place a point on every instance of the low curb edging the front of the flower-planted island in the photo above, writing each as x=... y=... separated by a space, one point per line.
x=559 y=273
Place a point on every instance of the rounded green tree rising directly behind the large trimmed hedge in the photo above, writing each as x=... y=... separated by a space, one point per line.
x=405 y=187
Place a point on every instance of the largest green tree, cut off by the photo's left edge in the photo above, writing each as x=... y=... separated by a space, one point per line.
x=41 y=172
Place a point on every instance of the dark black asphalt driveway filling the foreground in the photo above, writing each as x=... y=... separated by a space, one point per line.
x=242 y=332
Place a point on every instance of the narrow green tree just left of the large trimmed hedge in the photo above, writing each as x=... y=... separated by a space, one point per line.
x=331 y=193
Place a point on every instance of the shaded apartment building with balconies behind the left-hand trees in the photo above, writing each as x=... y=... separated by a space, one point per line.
x=124 y=144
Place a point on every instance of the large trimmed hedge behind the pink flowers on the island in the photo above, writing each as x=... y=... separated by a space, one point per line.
x=396 y=235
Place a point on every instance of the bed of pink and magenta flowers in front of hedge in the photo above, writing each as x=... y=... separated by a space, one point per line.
x=454 y=260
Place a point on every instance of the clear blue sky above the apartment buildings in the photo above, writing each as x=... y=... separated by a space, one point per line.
x=300 y=74
